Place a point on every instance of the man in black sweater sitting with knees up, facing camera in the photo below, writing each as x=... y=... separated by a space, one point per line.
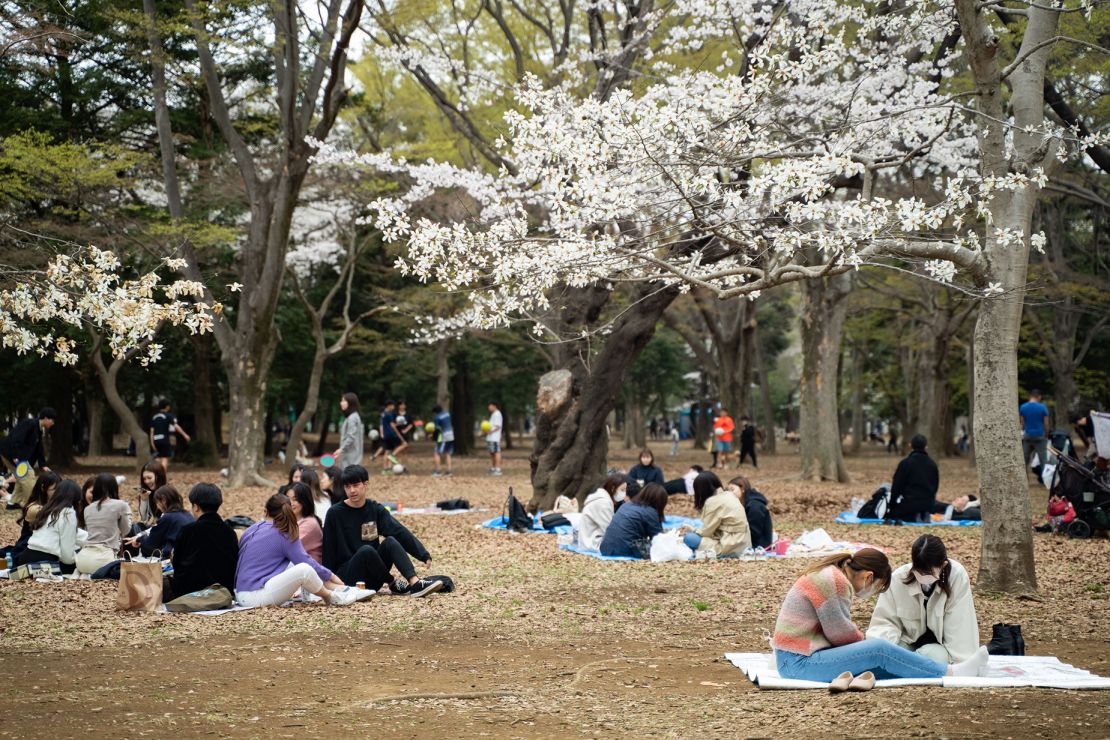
x=365 y=543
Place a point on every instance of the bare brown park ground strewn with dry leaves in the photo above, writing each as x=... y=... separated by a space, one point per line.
x=536 y=643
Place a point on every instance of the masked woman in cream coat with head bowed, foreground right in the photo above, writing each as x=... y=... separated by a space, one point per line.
x=929 y=607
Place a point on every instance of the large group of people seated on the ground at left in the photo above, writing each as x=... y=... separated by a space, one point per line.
x=321 y=534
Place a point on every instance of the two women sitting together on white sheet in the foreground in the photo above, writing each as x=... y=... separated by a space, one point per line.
x=924 y=624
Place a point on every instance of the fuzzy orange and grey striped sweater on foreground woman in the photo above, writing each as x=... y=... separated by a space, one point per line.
x=816 y=614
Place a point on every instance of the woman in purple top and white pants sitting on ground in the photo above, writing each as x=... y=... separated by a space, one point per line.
x=274 y=565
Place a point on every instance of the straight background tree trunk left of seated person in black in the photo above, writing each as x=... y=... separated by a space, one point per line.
x=824 y=311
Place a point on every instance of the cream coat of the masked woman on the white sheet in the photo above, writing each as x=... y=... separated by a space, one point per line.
x=902 y=617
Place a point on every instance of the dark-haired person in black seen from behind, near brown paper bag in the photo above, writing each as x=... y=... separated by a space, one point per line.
x=207 y=551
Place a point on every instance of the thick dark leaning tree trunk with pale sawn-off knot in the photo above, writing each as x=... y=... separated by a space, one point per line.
x=571 y=448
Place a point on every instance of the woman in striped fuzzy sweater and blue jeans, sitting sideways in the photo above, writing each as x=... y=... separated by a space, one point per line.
x=816 y=641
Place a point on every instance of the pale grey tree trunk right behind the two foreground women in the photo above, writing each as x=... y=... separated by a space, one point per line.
x=1007 y=552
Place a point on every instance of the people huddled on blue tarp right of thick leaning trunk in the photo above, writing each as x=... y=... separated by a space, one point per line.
x=734 y=518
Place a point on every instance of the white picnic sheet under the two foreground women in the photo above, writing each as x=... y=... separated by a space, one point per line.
x=1003 y=672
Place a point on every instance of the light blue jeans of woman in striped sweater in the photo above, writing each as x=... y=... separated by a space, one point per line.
x=885 y=660
